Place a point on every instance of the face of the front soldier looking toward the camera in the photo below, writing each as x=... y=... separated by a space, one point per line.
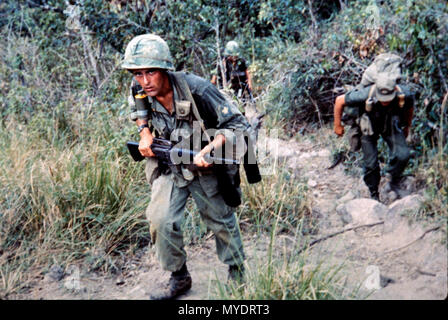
x=153 y=81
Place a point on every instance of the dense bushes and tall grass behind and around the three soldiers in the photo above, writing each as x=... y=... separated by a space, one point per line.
x=67 y=188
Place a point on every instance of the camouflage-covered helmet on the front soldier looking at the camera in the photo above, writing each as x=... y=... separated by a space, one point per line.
x=147 y=51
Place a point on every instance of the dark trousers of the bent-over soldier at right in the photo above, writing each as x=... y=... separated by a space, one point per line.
x=399 y=153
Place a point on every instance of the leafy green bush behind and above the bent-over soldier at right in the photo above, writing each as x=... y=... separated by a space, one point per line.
x=308 y=76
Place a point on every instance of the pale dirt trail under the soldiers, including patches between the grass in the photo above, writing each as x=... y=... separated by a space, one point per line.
x=391 y=260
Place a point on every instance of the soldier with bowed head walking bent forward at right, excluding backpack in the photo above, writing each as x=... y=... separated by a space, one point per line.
x=384 y=108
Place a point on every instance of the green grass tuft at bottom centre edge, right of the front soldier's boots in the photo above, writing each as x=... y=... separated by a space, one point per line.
x=284 y=273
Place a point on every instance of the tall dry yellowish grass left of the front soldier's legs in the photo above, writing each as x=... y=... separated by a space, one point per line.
x=59 y=201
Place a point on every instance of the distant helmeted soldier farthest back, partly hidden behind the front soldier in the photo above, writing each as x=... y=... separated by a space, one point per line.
x=235 y=70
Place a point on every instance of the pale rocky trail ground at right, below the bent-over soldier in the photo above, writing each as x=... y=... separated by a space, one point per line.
x=398 y=258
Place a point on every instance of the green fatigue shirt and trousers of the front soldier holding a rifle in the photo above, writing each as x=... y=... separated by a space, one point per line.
x=172 y=188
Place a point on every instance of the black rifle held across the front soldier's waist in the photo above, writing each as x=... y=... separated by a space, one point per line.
x=165 y=152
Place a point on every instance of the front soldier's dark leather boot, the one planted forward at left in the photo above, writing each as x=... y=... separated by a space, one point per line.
x=179 y=283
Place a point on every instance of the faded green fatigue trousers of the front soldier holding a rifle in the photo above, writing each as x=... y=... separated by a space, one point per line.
x=166 y=213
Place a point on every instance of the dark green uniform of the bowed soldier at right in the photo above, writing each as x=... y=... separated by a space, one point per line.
x=385 y=121
